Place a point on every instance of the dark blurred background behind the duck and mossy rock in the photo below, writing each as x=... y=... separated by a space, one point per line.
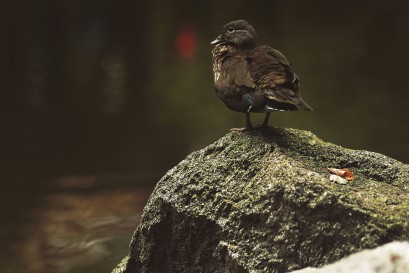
x=99 y=98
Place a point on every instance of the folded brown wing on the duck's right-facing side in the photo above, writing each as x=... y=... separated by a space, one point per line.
x=272 y=73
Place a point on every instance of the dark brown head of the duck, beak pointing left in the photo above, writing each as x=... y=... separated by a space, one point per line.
x=237 y=33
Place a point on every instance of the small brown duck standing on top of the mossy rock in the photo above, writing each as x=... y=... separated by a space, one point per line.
x=250 y=78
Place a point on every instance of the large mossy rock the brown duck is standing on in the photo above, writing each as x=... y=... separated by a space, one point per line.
x=262 y=201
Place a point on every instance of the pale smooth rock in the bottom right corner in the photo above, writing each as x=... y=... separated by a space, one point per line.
x=390 y=258
